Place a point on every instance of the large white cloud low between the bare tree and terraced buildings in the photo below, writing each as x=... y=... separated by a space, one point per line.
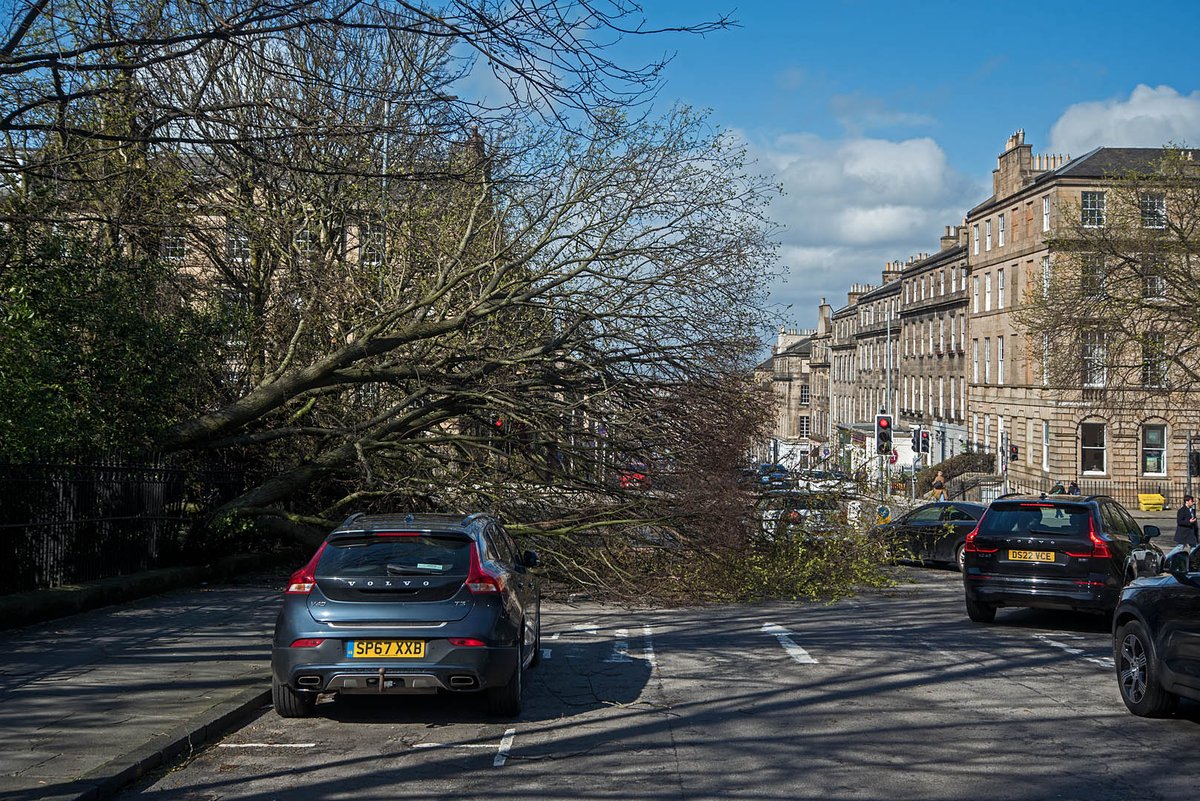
x=850 y=206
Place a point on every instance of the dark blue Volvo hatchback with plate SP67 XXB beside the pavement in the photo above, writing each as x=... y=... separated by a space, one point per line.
x=413 y=604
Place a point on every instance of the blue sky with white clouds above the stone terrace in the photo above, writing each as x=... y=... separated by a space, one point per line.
x=884 y=121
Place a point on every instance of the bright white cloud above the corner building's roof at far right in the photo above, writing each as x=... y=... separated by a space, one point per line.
x=1150 y=118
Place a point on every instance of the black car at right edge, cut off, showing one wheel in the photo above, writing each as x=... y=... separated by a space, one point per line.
x=1156 y=639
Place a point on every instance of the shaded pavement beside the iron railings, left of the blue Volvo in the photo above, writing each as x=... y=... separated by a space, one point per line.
x=92 y=702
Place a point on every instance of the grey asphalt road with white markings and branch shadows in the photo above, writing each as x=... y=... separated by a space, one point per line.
x=891 y=696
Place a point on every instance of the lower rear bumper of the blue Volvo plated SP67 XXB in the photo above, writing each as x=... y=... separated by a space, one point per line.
x=325 y=668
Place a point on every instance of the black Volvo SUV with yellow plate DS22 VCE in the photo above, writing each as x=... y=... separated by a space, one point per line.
x=1054 y=552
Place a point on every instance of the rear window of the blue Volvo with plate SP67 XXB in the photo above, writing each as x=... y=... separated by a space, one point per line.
x=397 y=556
